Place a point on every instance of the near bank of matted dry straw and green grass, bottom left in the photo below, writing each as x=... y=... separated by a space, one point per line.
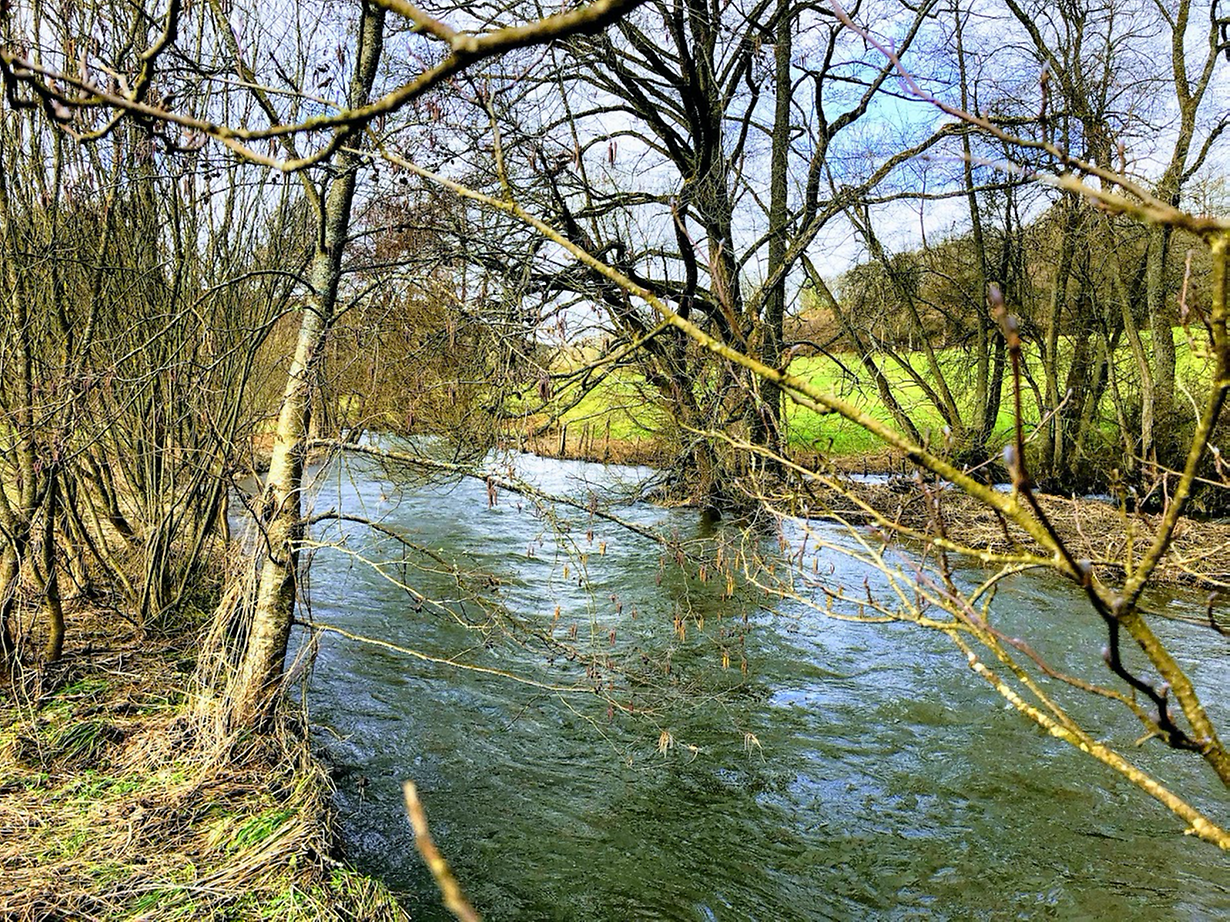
x=120 y=797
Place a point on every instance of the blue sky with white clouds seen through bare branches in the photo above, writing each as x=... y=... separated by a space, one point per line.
x=313 y=44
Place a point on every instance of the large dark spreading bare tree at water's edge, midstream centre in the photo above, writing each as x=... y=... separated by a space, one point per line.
x=648 y=146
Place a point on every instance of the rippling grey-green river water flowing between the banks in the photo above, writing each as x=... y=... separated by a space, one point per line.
x=853 y=773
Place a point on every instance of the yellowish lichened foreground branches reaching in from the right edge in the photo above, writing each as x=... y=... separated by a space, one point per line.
x=928 y=594
